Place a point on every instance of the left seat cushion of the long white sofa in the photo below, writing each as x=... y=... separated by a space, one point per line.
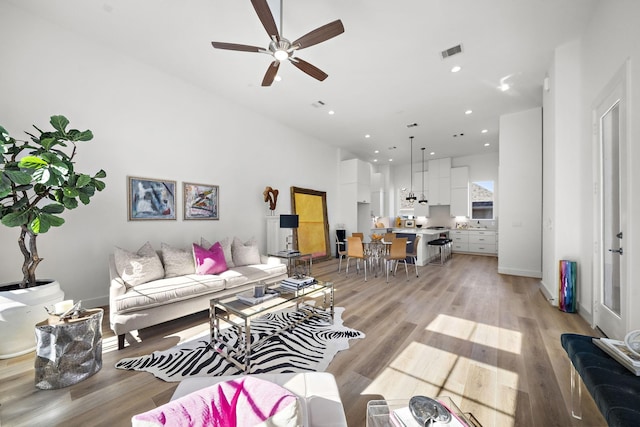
x=164 y=291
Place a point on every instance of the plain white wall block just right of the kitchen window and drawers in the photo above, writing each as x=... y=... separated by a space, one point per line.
x=520 y=196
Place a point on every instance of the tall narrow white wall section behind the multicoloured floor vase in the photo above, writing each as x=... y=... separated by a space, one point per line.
x=563 y=171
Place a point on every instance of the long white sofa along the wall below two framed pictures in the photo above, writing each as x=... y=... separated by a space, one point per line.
x=134 y=305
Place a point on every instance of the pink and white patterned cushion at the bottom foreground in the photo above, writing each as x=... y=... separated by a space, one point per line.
x=243 y=401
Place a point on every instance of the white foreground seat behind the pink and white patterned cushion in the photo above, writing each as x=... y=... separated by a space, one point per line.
x=317 y=393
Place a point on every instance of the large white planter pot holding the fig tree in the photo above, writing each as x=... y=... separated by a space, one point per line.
x=20 y=310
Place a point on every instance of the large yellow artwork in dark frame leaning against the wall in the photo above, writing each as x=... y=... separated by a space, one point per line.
x=312 y=234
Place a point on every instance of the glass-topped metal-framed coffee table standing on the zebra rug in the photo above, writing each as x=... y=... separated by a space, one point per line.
x=231 y=313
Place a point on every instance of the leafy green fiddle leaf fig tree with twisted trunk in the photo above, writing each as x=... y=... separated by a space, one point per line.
x=38 y=182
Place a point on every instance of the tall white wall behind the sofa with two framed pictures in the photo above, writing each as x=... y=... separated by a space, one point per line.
x=147 y=124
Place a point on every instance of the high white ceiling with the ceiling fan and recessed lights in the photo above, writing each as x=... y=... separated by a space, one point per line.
x=385 y=70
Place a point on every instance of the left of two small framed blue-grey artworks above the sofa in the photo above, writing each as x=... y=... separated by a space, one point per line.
x=150 y=199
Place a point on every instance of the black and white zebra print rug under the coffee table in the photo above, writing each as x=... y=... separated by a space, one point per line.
x=310 y=346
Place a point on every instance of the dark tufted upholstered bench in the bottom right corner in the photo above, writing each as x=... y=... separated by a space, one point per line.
x=615 y=389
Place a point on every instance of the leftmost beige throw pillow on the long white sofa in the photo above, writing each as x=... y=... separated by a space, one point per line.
x=140 y=267
